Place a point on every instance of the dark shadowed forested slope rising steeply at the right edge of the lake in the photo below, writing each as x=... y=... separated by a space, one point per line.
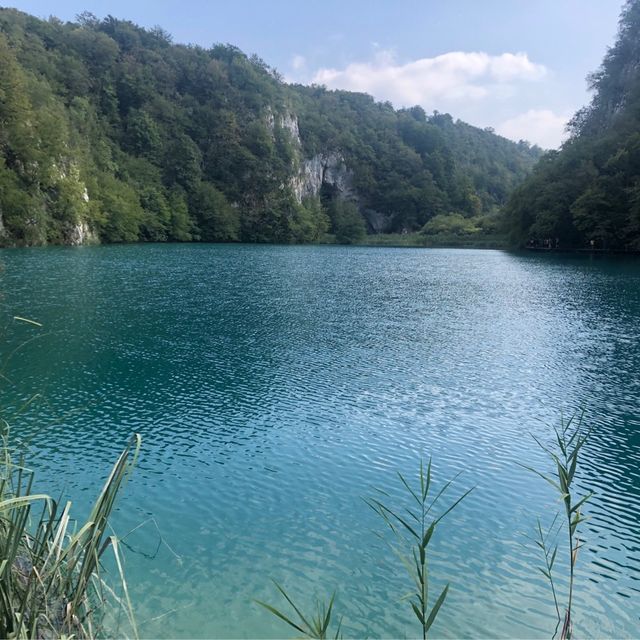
x=590 y=189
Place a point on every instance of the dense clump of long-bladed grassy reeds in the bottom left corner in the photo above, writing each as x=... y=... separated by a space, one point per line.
x=51 y=583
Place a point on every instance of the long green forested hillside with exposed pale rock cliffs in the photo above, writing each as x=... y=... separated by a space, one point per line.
x=110 y=132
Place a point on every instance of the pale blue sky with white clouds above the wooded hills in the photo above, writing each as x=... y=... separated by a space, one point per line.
x=518 y=66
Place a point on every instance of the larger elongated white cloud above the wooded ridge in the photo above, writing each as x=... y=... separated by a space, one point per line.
x=457 y=76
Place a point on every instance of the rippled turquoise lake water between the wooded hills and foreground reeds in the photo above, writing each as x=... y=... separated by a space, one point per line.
x=276 y=386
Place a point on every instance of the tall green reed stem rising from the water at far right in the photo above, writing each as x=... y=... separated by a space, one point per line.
x=569 y=440
